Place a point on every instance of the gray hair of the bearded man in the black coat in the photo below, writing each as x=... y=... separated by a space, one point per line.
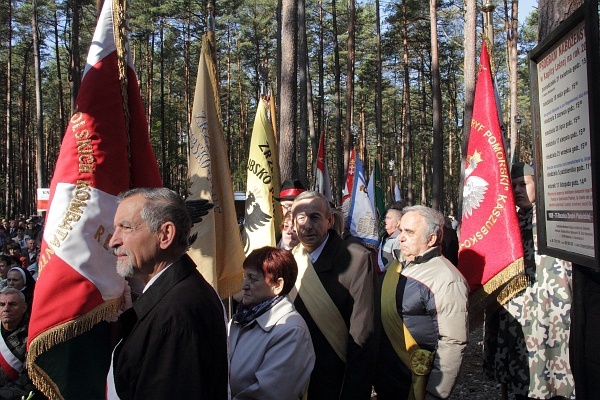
x=164 y=205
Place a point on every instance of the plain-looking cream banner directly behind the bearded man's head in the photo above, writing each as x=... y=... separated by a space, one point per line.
x=217 y=248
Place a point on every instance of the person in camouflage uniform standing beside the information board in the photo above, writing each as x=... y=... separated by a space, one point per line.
x=526 y=344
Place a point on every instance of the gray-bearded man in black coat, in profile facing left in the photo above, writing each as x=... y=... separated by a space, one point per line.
x=174 y=337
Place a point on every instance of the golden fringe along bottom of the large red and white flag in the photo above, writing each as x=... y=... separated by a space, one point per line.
x=61 y=334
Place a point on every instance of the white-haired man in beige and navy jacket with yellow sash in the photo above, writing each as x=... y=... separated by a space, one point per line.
x=424 y=301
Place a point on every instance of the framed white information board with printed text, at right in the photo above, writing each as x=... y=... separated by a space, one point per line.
x=565 y=144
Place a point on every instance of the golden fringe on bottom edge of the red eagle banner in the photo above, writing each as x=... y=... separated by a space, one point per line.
x=497 y=291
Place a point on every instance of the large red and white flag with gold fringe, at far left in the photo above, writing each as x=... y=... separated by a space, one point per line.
x=105 y=151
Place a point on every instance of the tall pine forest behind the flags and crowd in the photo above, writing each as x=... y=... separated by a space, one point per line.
x=416 y=58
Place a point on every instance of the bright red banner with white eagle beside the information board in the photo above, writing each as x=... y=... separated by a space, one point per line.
x=491 y=254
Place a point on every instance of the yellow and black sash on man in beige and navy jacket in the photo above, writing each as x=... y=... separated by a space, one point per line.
x=417 y=360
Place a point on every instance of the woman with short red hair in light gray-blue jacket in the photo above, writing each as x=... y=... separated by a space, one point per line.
x=271 y=352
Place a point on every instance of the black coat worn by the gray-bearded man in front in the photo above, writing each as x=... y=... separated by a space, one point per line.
x=175 y=341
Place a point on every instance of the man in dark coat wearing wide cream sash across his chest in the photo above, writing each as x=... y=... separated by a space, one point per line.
x=335 y=295
